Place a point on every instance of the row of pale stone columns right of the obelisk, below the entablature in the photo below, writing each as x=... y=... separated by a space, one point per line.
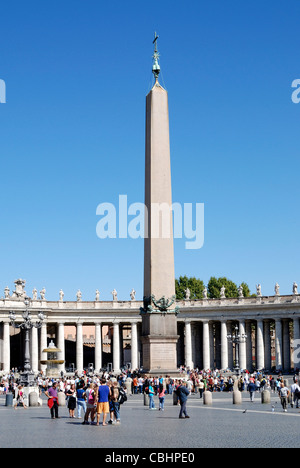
x=267 y=344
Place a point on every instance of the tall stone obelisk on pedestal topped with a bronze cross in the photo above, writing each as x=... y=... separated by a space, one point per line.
x=159 y=324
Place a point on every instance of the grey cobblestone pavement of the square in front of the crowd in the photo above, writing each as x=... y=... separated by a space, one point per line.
x=223 y=425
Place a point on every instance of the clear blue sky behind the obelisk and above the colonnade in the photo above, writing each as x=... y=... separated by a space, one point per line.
x=73 y=128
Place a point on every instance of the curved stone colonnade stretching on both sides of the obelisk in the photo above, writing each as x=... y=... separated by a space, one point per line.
x=271 y=325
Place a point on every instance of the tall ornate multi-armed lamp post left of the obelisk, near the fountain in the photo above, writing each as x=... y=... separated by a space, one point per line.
x=27 y=377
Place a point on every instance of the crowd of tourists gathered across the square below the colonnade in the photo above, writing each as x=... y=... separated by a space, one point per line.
x=91 y=395
